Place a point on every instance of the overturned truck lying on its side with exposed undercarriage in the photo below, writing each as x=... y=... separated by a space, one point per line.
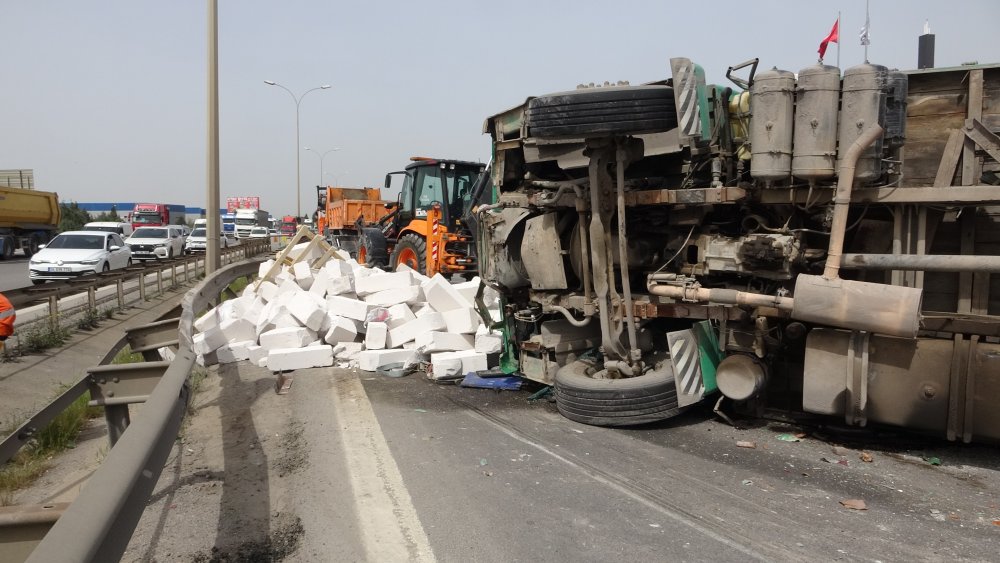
x=820 y=243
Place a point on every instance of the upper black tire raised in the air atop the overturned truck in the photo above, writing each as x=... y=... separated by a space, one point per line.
x=597 y=112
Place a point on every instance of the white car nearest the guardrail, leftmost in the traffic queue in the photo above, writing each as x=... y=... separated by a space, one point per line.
x=77 y=253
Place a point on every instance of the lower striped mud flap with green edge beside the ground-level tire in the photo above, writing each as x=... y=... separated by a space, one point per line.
x=695 y=355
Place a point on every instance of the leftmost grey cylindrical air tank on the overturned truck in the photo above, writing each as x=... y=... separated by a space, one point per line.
x=772 y=103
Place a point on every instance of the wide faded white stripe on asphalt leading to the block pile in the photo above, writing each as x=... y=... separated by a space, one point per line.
x=388 y=522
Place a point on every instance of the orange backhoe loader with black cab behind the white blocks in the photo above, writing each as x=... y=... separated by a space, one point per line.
x=425 y=231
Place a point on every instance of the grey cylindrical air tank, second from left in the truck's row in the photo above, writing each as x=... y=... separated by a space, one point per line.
x=816 y=99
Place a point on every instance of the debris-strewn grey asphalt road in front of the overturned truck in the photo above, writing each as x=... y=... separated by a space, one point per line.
x=356 y=467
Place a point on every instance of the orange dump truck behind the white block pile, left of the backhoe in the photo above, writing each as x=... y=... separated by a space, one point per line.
x=339 y=210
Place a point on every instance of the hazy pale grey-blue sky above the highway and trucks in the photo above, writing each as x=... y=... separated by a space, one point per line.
x=107 y=100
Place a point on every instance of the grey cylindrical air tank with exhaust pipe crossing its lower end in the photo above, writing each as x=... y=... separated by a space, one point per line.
x=863 y=106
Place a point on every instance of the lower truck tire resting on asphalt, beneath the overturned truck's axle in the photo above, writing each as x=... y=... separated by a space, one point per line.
x=615 y=402
